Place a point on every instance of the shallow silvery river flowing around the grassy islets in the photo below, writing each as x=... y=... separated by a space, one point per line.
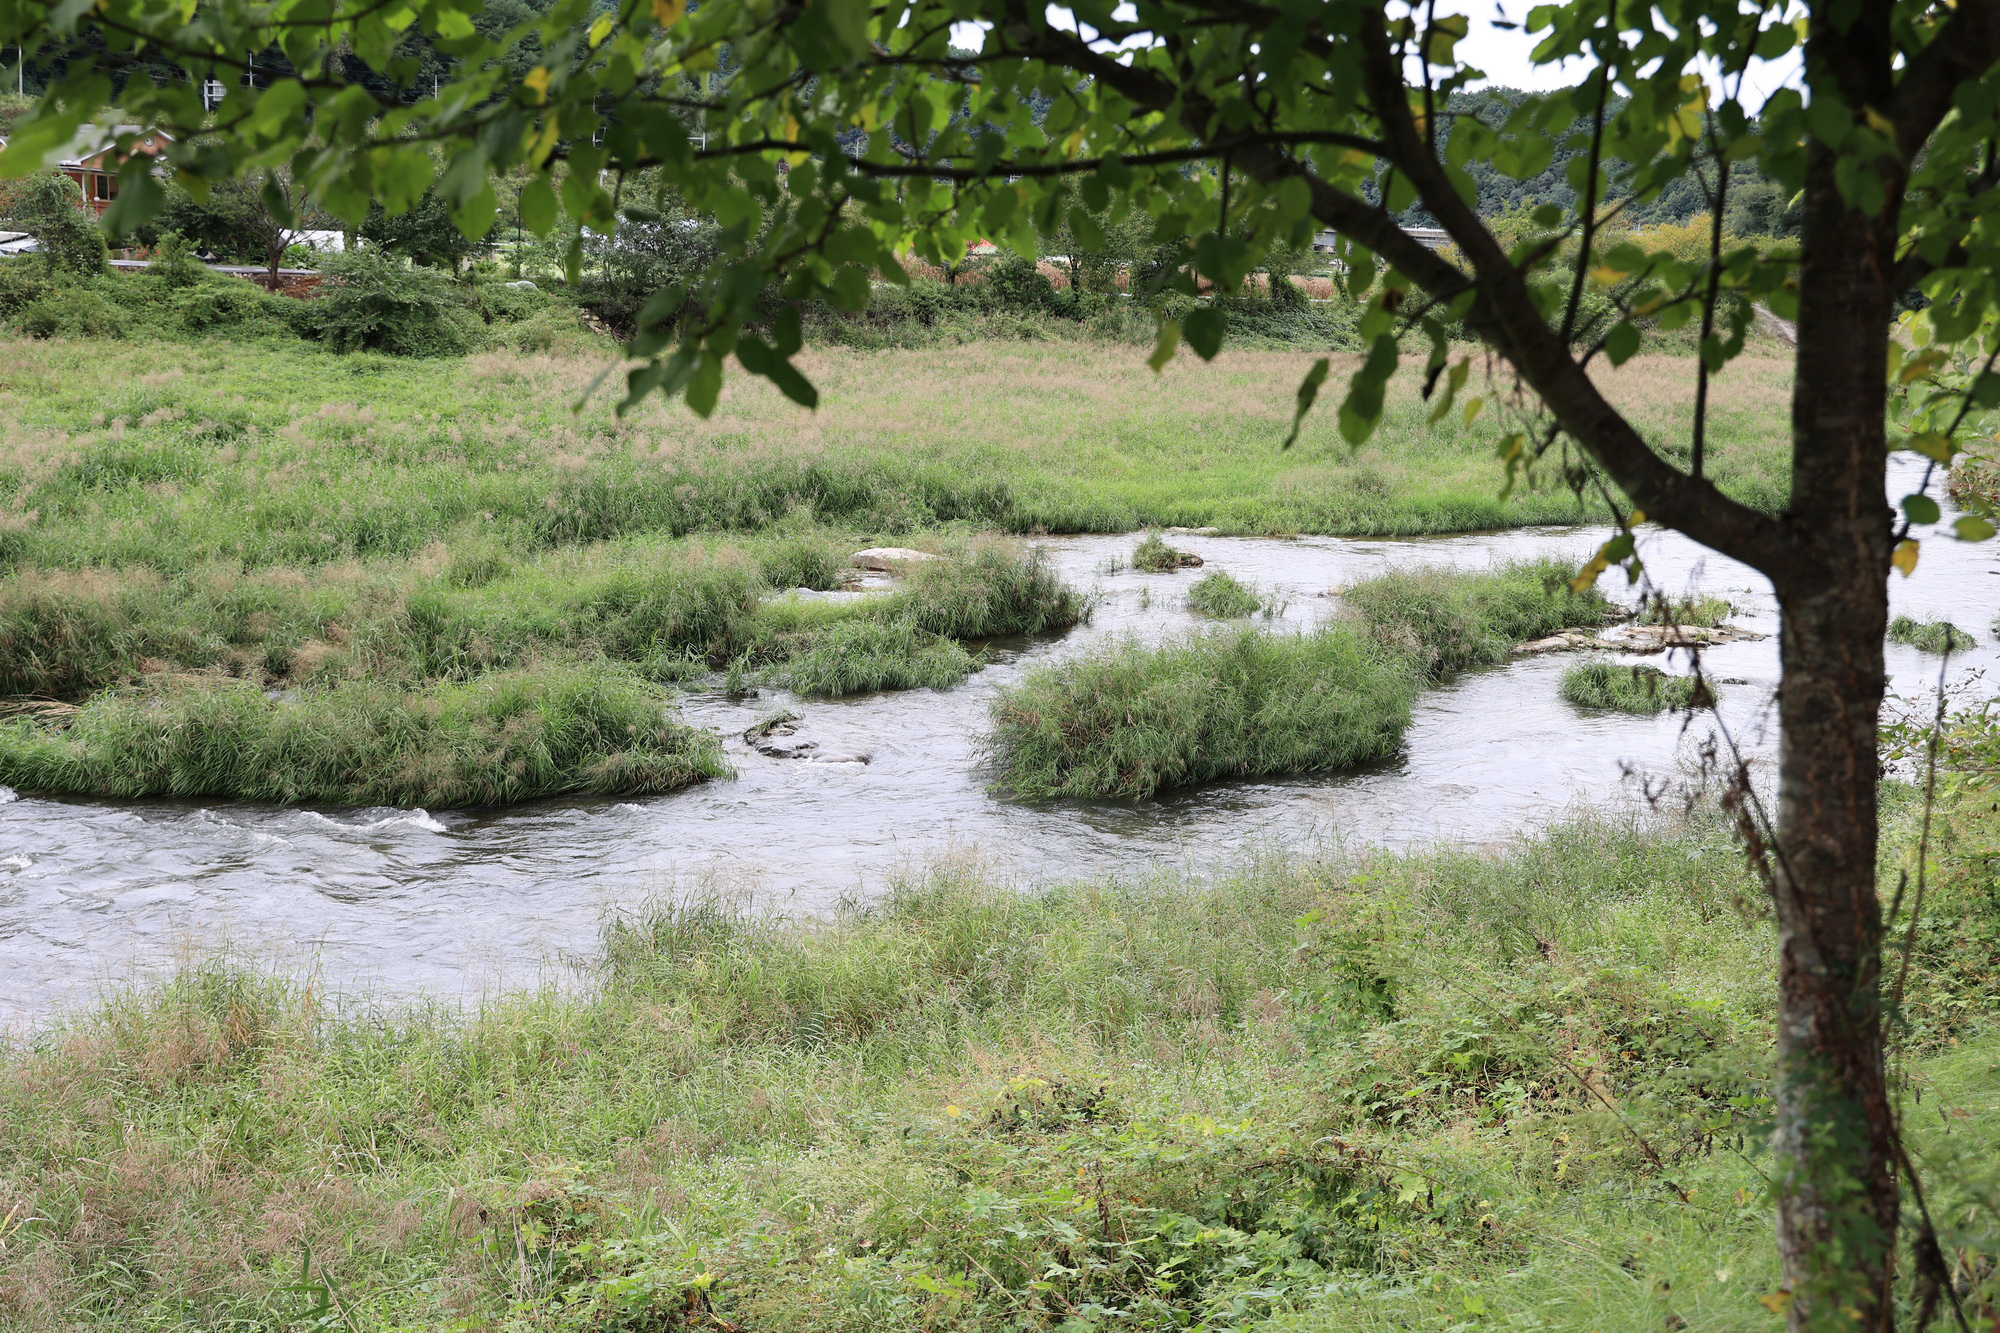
x=463 y=902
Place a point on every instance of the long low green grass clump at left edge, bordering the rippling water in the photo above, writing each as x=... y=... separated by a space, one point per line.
x=503 y=738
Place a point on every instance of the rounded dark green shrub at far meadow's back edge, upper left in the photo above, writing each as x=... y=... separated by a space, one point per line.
x=371 y=301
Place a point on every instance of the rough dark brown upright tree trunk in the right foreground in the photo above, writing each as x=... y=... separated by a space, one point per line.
x=1835 y=1132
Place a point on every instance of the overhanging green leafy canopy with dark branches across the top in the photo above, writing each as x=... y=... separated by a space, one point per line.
x=835 y=137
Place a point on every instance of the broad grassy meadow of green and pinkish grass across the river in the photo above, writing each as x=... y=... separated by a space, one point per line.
x=267 y=571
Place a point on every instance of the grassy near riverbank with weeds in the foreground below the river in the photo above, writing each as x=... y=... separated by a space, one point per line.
x=1343 y=1092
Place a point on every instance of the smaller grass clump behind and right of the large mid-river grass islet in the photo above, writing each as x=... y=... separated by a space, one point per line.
x=1451 y=619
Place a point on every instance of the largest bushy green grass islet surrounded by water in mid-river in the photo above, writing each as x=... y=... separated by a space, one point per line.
x=1129 y=722
